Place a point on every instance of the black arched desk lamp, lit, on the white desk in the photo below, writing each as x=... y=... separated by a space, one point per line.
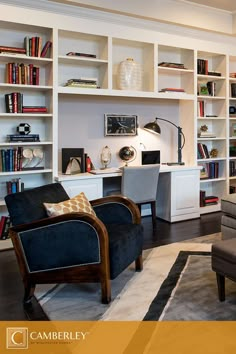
x=153 y=127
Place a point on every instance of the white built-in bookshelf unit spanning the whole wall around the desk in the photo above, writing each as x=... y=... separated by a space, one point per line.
x=109 y=47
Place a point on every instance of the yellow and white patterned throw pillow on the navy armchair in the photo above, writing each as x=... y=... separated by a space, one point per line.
x=77 y=204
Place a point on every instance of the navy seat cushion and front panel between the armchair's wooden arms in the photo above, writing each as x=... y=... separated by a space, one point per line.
x=125 y=245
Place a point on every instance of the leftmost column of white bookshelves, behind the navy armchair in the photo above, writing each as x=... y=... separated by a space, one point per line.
x=33 y=95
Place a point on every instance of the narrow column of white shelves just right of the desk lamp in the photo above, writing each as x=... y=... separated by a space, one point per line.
x=213 y=105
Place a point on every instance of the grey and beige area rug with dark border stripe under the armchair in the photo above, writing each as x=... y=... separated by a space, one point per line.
x=177 y=283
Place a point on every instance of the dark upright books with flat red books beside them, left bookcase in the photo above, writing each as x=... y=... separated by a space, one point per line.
x=14 y=104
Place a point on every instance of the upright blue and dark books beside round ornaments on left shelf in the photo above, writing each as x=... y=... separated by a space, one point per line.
x=11 y=159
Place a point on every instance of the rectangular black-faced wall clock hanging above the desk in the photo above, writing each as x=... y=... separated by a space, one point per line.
x=120 y=125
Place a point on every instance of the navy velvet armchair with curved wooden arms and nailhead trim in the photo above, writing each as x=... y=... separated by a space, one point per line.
x=74 y=247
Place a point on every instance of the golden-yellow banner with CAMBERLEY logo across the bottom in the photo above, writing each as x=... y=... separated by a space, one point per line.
x=109 y=337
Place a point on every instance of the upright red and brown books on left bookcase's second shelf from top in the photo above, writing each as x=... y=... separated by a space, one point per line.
x=22 y=74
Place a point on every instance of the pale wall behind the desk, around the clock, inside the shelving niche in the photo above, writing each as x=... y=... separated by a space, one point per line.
x=81 y=122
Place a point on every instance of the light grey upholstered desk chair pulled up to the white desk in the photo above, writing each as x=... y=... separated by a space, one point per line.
x=139 y=183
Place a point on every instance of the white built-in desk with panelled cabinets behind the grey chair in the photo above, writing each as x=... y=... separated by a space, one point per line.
x=177 y=196
